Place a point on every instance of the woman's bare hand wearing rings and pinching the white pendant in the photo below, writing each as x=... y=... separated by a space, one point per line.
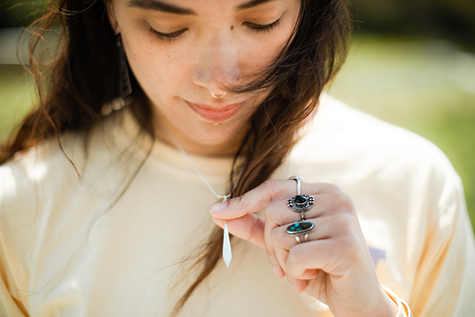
x=334 y=265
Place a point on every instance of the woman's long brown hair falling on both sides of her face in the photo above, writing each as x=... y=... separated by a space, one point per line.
x=83 y=75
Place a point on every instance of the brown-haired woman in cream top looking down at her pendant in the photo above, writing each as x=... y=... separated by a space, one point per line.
x=104 y=214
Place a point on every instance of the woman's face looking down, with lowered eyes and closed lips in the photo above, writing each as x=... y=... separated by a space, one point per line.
x=183 y=51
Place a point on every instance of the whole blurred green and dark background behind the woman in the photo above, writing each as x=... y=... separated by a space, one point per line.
x=412 y=63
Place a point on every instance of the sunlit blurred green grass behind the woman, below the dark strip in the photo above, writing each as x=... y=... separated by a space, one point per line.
x=426 y=86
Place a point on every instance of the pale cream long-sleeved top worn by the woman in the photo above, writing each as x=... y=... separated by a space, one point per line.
x=100 y=239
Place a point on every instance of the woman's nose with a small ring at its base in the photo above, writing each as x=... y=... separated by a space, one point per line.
x=217 y=64
